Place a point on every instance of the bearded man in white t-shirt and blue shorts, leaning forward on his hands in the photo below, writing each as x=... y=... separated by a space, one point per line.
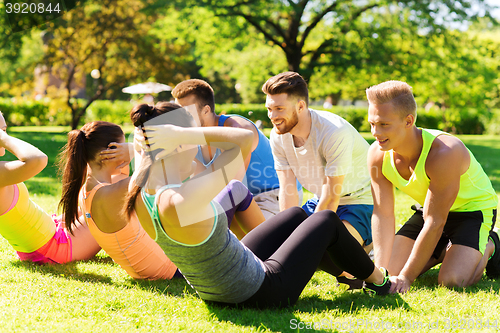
x=323 y=151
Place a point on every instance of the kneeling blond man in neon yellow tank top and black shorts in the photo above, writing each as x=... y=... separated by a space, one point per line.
x=455 y=226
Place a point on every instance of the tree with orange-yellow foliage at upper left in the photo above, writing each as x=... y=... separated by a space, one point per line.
x=110 y=36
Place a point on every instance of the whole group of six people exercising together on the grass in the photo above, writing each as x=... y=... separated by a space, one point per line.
x=213 y=200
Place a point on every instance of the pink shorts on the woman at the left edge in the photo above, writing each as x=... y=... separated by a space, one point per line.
x=57 y=250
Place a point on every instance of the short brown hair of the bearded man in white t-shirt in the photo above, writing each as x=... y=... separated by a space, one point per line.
x=290 y=83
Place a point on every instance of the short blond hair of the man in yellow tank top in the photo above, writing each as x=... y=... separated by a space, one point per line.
x=396 y=92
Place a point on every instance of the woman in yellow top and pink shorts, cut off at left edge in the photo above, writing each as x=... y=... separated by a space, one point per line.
x=32 y=232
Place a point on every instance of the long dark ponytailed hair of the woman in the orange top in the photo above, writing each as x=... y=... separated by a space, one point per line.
x=83 y=146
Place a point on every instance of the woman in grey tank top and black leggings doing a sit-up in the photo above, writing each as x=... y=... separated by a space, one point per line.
x=273 y=263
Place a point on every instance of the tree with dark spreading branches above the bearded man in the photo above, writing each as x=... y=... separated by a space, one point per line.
x=290 y=24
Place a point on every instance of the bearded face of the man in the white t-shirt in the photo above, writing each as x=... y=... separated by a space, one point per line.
x=282 y=111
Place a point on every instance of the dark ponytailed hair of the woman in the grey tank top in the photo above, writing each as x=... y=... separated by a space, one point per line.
x=145 y=113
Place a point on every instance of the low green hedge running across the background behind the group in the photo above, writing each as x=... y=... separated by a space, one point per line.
x=53 y=112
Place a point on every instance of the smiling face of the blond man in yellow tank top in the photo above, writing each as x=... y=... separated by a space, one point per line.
x=387 y=125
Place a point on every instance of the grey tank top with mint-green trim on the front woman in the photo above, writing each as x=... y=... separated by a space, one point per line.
x=220 y=268
